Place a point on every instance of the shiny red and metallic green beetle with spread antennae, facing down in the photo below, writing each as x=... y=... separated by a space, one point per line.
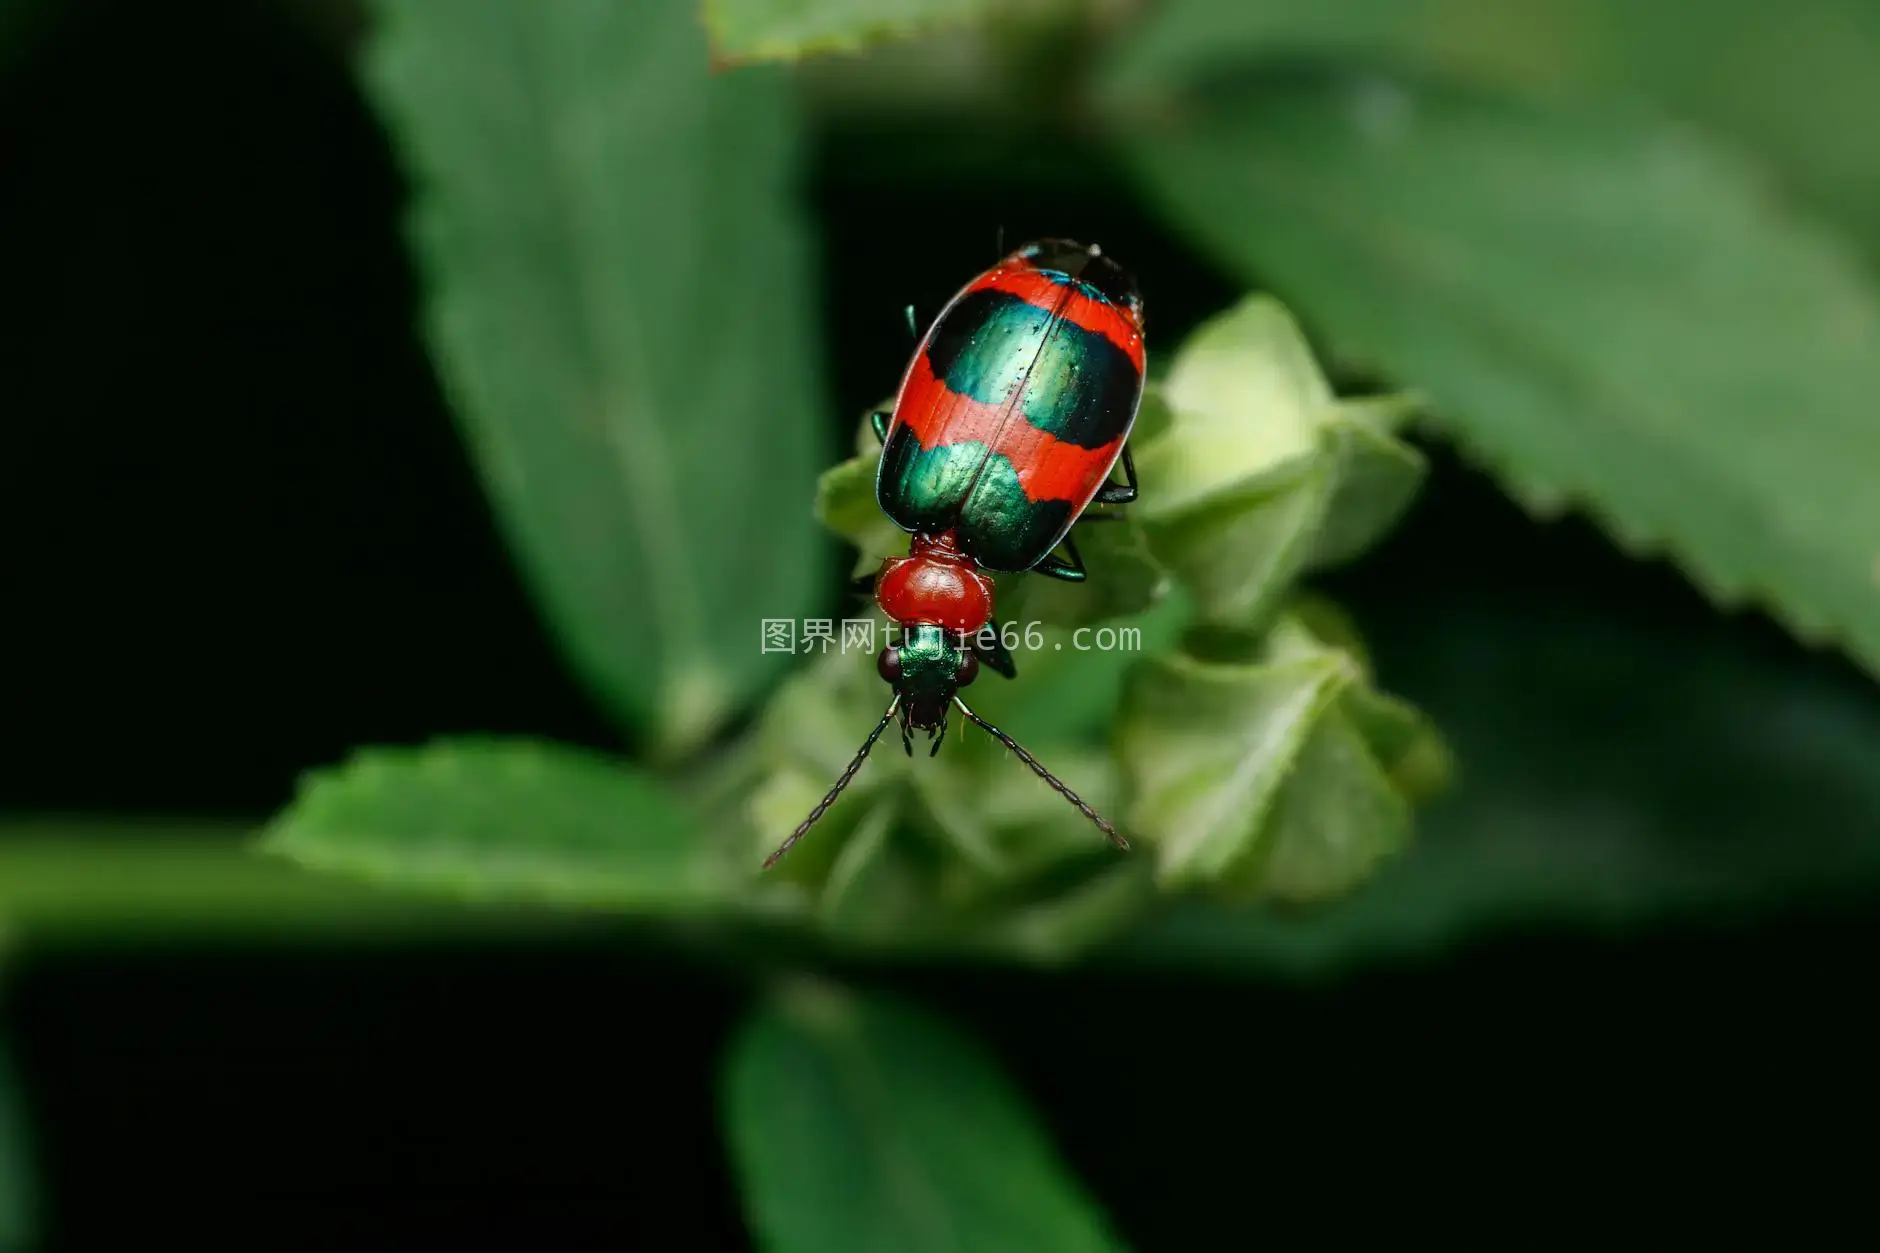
x=1010 y=420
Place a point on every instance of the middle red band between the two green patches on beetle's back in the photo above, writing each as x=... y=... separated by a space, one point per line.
x=1050 y=469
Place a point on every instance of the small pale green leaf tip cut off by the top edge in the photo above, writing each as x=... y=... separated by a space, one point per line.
x=744 y=31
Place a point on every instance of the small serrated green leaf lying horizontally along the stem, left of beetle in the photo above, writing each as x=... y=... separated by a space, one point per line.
x=505 y=821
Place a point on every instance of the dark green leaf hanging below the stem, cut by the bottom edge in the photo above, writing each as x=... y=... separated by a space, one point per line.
x=866 y=1124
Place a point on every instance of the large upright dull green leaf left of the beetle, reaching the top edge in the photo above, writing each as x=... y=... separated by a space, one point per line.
x=621 y=311
